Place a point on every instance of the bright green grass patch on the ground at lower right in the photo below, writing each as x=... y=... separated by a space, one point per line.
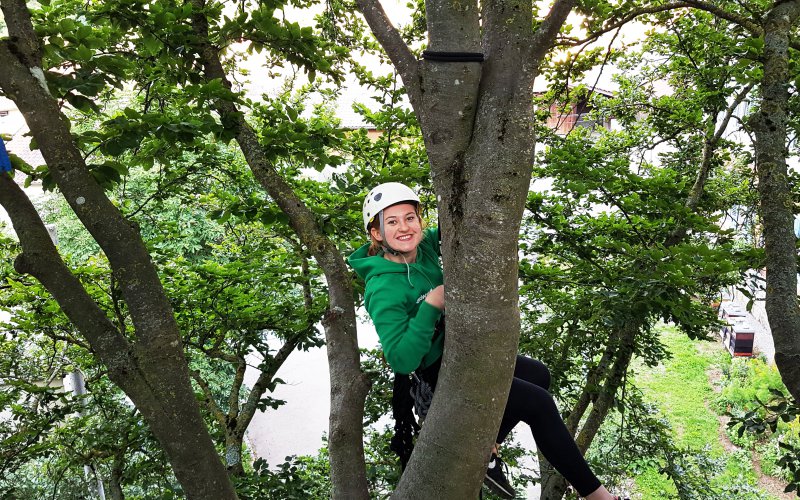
x=680 y=388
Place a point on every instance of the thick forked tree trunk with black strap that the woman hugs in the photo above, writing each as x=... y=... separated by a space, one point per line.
x=476 y=123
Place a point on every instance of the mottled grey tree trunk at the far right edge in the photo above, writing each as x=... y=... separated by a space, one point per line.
x=769 y=124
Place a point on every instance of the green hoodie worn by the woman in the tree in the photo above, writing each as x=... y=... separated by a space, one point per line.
x=395 y=300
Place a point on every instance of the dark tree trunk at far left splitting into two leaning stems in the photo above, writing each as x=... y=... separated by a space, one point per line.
x=152 y=369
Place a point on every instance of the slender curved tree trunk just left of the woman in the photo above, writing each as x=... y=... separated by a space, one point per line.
x=349 y=386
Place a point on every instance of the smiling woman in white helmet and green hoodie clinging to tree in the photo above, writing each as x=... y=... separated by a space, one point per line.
x=404 y=296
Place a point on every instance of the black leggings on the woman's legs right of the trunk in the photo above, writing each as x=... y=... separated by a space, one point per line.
x=529 y=402
